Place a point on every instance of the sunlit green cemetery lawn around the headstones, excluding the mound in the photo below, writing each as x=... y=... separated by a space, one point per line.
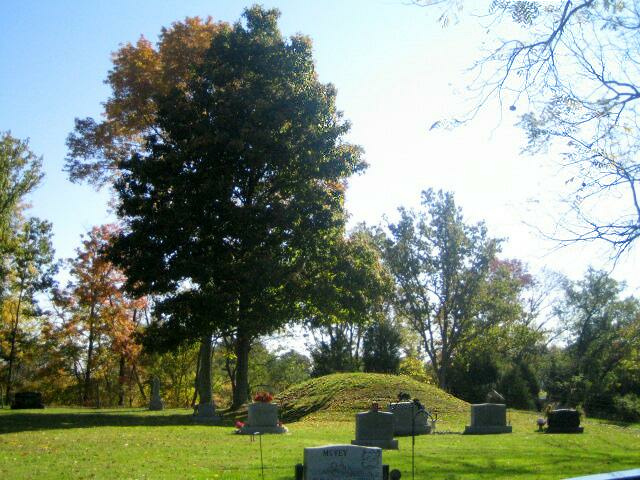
x=137 y=444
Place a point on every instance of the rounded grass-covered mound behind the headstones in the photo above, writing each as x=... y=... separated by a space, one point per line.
x=346 y=393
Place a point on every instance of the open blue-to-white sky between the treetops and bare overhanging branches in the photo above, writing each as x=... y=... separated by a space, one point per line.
x=396 y=70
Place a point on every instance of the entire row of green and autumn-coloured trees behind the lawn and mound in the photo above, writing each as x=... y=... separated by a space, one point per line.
x=228 y=164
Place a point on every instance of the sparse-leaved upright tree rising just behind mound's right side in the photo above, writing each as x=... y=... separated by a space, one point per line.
x=441 y=266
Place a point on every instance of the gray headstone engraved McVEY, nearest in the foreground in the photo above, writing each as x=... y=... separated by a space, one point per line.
x=344 y=462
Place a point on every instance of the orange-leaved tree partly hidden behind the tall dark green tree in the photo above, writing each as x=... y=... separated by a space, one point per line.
x=141 y=73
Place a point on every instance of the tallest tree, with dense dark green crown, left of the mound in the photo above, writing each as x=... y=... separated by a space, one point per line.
x=229 y=203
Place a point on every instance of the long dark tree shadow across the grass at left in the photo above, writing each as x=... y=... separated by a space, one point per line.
x=25 y=422
